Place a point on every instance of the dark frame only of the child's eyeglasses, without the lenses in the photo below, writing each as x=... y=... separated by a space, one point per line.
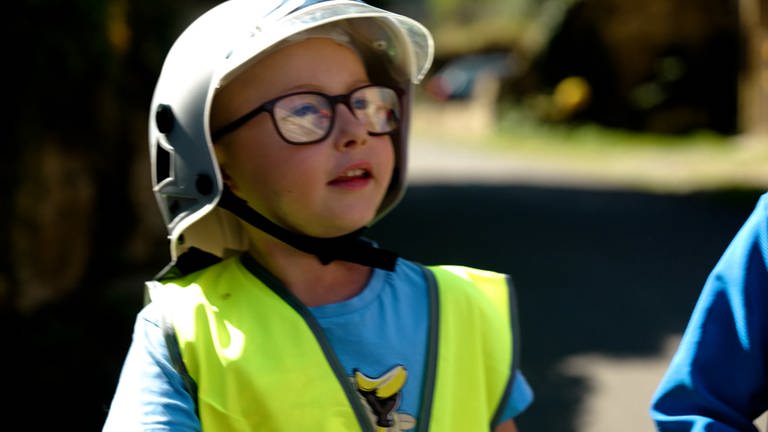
x=334 y=100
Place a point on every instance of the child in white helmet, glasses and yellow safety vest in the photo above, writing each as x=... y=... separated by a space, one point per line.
x=278 y=134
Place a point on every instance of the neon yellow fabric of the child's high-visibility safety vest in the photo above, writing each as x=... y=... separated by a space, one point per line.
x=266 y=365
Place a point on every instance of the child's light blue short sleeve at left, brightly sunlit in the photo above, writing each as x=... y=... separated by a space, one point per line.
x=150 y=394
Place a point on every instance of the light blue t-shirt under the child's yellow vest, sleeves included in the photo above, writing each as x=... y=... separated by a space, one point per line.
x=381 y=330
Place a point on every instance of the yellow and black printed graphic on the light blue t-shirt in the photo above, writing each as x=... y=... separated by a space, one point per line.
x=381 y=396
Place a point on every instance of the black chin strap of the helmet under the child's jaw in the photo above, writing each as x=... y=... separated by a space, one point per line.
x=349 y=247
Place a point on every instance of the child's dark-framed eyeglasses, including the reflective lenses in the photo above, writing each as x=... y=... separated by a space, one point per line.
x=308 y=117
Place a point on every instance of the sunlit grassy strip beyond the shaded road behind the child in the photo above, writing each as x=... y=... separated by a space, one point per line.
x=659 y=162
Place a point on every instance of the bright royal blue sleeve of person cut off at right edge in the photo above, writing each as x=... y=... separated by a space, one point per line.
x=717 y=381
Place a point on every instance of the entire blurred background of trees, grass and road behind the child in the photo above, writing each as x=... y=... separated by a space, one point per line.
x=602 y=152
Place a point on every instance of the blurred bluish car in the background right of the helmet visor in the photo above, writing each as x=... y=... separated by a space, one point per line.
x=457 y=78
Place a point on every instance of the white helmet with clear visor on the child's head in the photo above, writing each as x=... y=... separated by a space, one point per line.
x=186 y=179
